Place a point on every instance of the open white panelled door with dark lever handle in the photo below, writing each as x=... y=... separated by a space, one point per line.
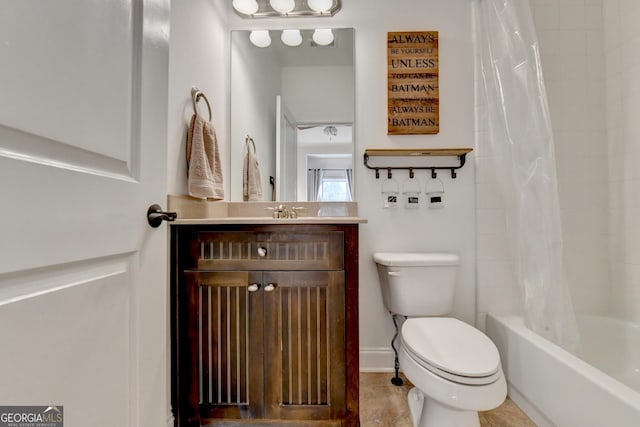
x=83 y=143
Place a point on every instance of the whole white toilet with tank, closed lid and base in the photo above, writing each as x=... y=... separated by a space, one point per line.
x=454 y=367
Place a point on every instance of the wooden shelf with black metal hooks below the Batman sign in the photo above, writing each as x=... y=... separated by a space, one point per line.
x=460 y=153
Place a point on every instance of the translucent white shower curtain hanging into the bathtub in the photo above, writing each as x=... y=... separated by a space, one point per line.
x=521 y=142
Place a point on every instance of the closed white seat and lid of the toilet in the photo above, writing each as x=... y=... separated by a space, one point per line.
x=452 y=350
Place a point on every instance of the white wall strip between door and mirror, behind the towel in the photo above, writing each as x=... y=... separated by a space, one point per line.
x=199 y=56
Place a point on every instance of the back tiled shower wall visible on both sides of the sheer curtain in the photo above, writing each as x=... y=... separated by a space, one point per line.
x=571 y=43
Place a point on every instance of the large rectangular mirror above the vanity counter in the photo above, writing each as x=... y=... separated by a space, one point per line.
x=292 y=109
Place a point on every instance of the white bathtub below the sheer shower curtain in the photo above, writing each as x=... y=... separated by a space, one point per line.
x=556 y=388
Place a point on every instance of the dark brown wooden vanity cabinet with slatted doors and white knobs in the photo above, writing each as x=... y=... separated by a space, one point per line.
x=264 y=325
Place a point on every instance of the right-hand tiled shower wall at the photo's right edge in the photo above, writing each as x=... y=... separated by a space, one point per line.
x=622 y=52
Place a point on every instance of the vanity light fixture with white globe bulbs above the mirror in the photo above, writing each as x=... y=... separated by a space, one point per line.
x=285 y=8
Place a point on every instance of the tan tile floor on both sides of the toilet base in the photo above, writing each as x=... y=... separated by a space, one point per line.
x=384 y=405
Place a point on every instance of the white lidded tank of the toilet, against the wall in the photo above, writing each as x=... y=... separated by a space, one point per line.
x=417 y=284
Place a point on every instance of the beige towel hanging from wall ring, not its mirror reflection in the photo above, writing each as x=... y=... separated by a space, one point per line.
x=204 y=169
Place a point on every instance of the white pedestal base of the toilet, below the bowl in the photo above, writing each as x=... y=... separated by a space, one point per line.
x=427 y=412
